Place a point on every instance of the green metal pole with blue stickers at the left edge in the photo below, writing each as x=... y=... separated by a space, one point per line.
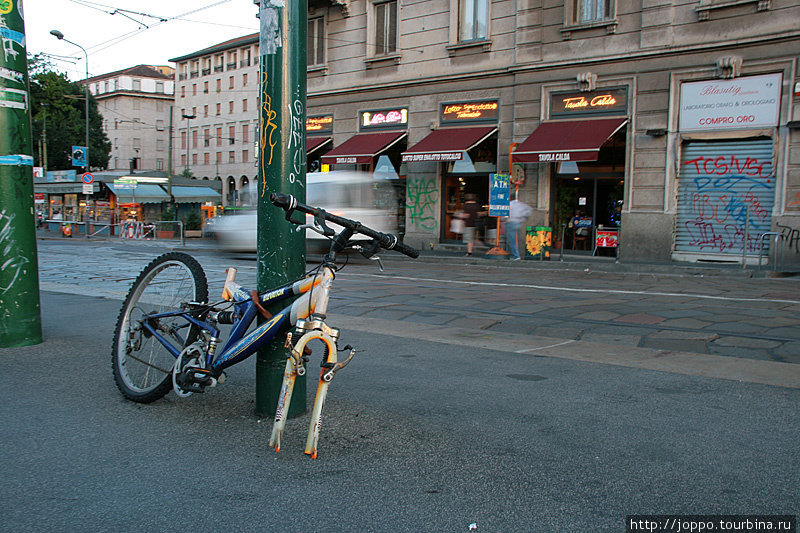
x=20 y=314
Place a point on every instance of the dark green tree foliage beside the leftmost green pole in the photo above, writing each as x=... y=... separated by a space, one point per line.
x=58 y=104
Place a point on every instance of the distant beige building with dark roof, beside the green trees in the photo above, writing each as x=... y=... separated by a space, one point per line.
x=136 y=104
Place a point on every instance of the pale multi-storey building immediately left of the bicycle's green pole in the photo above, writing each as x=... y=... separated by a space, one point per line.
x=216 y=116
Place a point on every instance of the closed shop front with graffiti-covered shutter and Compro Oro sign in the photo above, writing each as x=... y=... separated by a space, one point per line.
x=727 y=183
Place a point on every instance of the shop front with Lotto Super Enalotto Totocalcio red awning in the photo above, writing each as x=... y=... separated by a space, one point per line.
x=464 y=152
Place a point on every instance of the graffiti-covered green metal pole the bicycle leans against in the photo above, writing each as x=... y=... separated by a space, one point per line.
x=282 y=168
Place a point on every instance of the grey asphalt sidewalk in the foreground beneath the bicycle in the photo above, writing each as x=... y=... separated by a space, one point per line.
x=418 y=436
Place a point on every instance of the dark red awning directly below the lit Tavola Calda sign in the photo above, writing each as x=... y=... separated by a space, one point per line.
x=572 y=140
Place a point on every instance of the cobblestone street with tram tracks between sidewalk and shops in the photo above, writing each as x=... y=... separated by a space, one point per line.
x=708 y=311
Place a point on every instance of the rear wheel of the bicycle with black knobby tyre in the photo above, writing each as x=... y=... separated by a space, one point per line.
x=142 y=366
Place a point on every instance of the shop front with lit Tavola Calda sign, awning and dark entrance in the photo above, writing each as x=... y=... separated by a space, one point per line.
x=585 y=159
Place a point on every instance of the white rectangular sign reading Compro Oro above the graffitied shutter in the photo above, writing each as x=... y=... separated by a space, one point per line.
x=749 y=102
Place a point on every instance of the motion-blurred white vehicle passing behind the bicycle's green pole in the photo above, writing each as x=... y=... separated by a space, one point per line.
x=376 y=203
